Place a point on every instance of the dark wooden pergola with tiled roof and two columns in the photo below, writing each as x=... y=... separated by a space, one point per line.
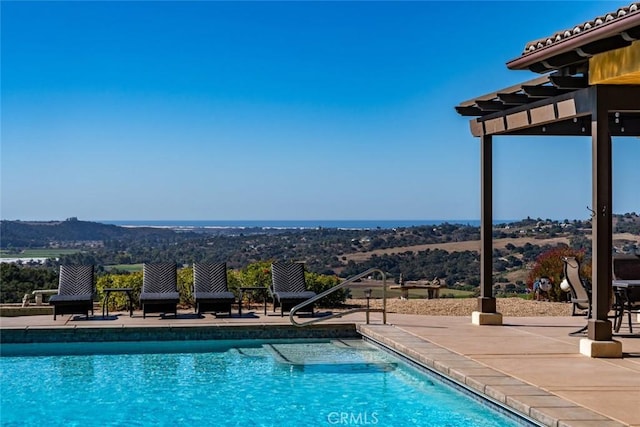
x=590 y=86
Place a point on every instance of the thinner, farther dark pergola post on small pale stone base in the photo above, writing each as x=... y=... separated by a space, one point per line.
x=486 y=314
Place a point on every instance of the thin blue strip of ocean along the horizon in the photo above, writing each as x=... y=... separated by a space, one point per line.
x=367 y=224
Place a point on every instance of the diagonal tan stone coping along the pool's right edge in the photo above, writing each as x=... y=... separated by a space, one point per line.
x=527 y=400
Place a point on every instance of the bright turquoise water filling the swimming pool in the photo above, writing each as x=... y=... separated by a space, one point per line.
x=230 y=383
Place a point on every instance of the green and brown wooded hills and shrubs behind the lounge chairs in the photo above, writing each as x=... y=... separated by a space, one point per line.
x=328 y=253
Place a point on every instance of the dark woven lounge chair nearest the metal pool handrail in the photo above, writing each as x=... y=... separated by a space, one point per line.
x=288 y=286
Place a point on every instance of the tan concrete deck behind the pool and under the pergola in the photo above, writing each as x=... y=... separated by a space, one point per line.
x=530 y=364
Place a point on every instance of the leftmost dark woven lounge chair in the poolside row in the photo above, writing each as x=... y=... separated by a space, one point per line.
x=75 y=291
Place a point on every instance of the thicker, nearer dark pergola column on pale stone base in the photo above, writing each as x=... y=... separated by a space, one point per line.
x=599 y=341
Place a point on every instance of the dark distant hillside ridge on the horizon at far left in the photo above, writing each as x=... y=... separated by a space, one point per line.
x=71 y=232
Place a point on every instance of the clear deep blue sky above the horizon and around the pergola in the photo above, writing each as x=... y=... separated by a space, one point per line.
x=267 y=110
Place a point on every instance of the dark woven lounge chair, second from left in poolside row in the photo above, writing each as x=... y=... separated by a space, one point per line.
x=159 y=289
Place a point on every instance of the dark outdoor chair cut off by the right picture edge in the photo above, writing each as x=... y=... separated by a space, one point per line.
x=626 y=267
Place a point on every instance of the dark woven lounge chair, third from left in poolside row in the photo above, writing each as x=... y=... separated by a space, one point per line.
x=210 y=290
